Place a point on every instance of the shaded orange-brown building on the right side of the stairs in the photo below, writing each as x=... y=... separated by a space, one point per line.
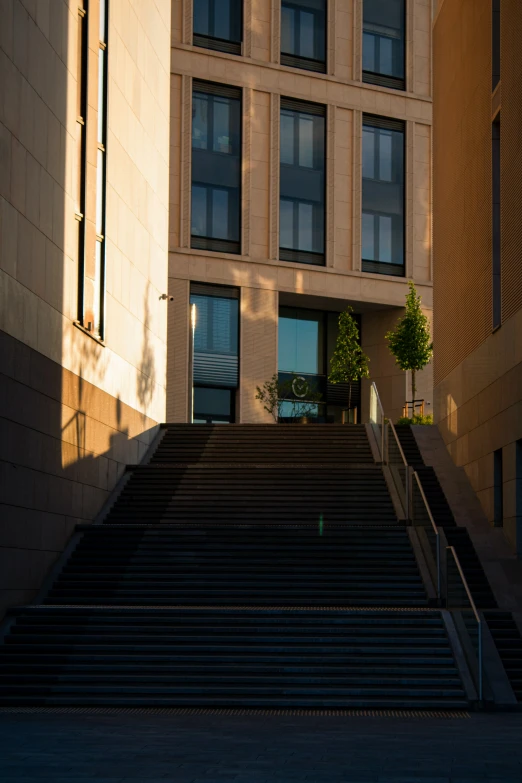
x=477 y=247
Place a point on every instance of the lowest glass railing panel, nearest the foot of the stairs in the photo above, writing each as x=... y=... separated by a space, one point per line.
x=459 y=597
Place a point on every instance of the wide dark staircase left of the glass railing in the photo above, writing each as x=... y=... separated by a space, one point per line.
x=244 y=566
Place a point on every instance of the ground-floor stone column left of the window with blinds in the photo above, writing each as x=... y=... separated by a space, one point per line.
x=178 y=335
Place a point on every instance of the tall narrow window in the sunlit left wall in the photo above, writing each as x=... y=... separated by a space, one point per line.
x=91 y=173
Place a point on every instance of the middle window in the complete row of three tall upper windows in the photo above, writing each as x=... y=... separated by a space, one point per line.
x=302 y=182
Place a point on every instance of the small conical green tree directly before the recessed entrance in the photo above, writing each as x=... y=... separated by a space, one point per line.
x=349 y=362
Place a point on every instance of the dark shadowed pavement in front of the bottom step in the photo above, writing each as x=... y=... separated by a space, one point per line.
x=88 y=748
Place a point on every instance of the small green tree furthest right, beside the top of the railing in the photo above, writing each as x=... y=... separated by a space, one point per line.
x=410 y=341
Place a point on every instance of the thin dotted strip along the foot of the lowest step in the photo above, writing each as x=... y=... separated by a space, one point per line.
x=418 y=714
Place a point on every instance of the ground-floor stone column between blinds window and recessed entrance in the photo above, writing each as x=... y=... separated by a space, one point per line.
x=258 y=350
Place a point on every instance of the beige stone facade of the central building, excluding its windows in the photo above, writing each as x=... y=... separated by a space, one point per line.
x=257 y=270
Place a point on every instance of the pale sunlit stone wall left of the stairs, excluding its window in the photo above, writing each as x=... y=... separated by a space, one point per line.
x=74 y=410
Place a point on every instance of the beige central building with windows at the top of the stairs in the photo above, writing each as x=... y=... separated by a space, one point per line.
x=300 y=183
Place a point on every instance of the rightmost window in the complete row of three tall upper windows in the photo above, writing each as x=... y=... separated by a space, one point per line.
x=383 y=196
